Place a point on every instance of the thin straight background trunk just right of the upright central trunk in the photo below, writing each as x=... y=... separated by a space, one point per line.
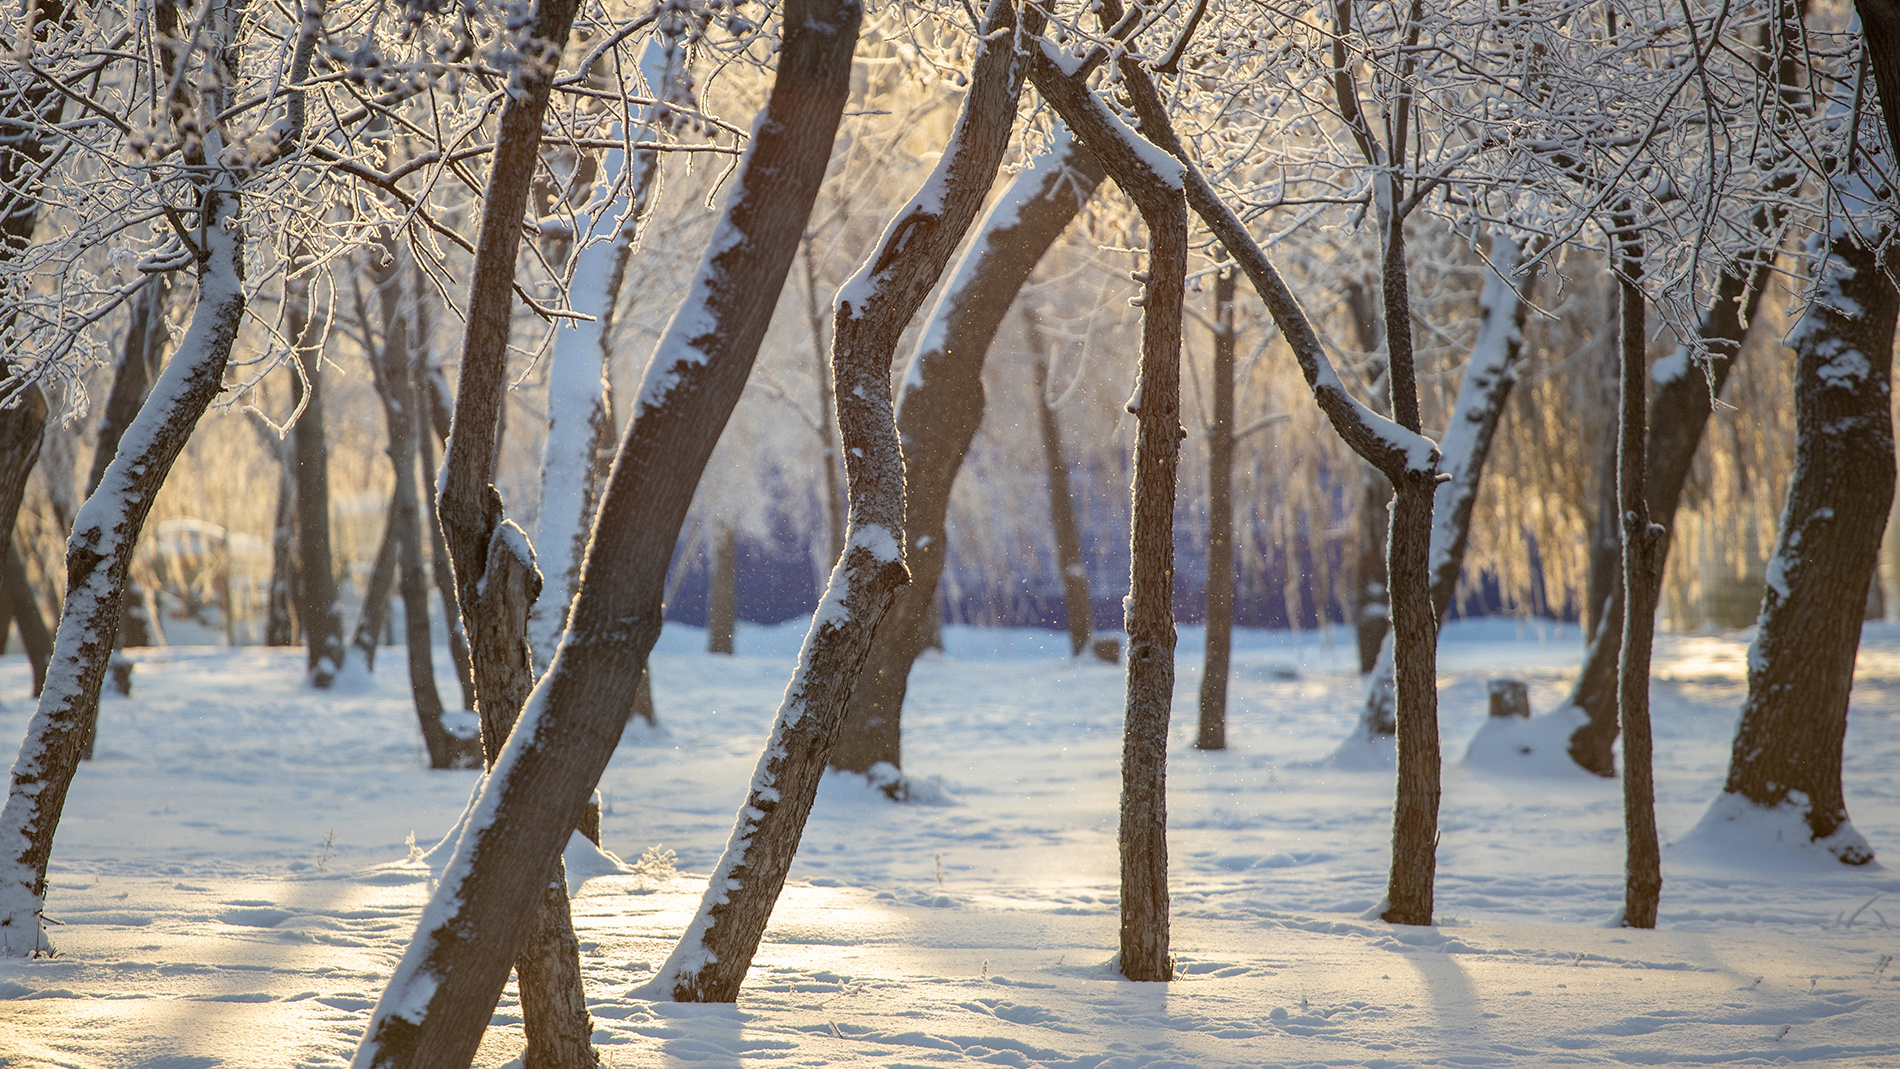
x=1213 y=730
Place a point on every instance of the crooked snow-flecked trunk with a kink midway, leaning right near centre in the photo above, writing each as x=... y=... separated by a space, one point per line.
x=873 y=310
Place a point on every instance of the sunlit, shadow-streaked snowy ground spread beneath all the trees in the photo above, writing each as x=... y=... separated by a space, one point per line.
x=233 y=886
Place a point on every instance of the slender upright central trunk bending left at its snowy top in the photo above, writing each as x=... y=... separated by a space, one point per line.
x=1154 y=183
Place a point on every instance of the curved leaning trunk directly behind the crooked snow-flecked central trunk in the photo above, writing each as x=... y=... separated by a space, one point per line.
x=938 y=415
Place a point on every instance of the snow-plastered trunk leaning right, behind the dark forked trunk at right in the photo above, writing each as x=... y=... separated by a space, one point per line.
x=1468 y=443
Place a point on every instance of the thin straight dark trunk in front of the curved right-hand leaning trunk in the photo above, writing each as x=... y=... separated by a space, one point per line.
x=1643 y=578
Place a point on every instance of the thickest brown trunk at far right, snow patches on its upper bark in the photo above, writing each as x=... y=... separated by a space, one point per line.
x=1802 y=664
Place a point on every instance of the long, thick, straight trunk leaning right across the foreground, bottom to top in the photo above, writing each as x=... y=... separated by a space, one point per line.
x=444 y=992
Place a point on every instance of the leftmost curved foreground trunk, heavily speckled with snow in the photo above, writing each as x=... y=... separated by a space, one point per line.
x=98 y=559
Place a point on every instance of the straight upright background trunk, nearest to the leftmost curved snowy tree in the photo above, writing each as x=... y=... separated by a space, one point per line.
x=316 y=599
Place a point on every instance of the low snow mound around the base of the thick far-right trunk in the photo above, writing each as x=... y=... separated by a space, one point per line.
x=1739 y=835
